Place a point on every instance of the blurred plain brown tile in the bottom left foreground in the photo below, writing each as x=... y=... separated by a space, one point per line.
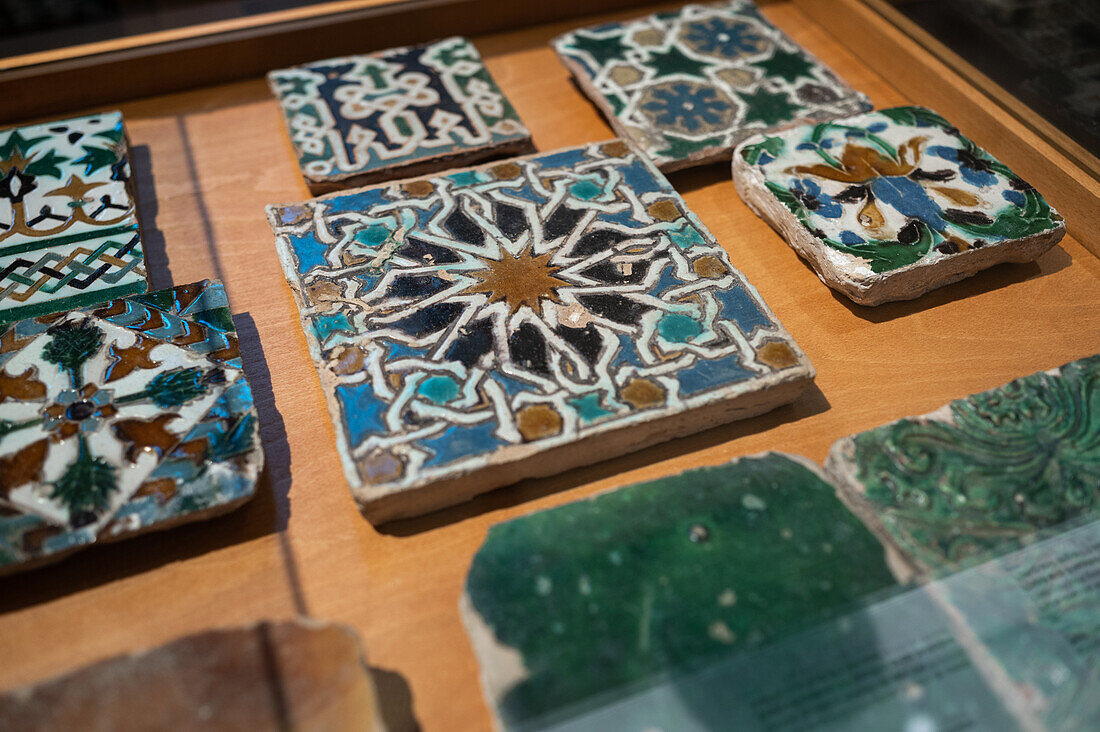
x=292 y=675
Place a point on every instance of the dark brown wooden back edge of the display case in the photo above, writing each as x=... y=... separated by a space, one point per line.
x=162 y=63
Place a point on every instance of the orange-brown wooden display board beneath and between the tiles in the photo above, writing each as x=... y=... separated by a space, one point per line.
x=206 y=163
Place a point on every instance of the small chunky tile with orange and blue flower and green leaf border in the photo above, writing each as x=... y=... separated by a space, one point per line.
x=889 y=205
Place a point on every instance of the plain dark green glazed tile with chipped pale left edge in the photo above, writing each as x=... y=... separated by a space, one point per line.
x=575 y=607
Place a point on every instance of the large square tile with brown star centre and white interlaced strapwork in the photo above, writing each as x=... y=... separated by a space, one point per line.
x=522 y=319
